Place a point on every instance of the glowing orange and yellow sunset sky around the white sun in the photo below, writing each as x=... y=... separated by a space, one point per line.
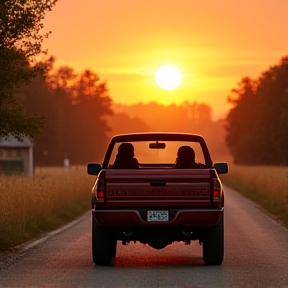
x=213 y=42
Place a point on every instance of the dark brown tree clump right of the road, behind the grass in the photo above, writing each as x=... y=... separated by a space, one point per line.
x=257 y=124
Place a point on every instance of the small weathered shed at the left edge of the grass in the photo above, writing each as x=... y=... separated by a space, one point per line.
x=16 y=157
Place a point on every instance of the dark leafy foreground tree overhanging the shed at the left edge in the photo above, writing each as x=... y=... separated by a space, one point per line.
x=20 y=44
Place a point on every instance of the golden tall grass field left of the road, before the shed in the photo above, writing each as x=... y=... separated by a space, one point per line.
x=32 y=206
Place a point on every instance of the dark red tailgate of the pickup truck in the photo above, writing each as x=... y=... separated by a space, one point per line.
x=158 y=188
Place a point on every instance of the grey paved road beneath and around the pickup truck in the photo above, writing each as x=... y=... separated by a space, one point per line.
x=256 y=255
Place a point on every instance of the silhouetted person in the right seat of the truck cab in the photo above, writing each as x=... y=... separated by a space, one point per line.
x=186 y=158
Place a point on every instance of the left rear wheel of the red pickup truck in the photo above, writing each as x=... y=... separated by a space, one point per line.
x=101 y=245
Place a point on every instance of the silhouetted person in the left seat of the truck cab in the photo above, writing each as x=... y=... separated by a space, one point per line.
x=125 y=158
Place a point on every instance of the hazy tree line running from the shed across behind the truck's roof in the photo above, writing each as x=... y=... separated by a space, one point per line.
x=80 y=118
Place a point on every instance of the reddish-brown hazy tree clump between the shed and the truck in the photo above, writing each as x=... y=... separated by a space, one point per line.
x=74 y=106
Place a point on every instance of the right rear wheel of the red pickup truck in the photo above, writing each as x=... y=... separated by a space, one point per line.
x=213 y=244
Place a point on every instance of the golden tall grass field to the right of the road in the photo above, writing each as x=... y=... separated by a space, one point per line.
x=265 y=185
